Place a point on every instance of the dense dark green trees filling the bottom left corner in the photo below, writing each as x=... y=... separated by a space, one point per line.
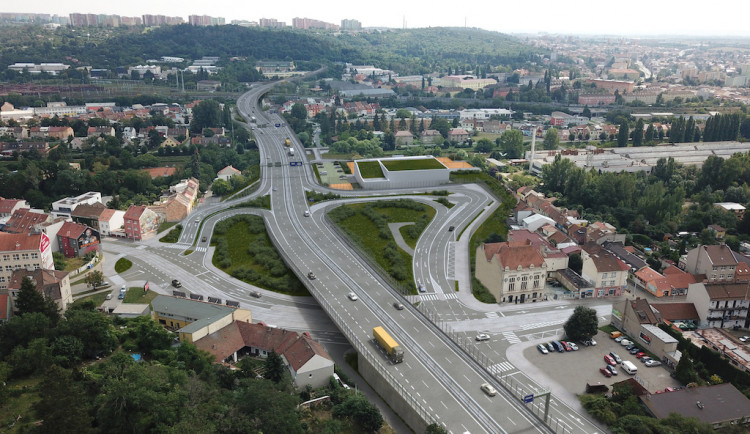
x=75 y=373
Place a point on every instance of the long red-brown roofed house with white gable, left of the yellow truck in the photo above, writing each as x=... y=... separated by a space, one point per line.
x=306 y=359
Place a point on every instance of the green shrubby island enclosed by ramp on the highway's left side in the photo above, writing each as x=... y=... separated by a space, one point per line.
x=252 y=256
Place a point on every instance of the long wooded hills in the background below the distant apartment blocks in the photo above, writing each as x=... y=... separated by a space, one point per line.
x=412 y=51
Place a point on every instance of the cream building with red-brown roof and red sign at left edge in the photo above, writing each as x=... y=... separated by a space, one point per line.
x=28 y=251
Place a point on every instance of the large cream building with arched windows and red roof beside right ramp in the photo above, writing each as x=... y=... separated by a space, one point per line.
x=513 y=271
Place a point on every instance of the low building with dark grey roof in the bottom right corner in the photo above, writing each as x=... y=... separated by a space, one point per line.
x=719 y=405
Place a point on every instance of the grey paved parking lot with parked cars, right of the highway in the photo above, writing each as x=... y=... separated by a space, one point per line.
x=573 y=369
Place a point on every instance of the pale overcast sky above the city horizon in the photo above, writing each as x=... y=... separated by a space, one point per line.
x=606 y=17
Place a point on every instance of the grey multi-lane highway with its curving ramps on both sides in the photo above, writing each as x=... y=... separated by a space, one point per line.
x=441 y=378
